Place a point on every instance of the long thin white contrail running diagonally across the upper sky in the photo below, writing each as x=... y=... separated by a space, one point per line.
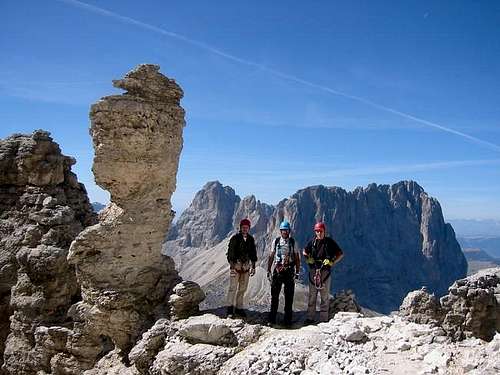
x=277 y=73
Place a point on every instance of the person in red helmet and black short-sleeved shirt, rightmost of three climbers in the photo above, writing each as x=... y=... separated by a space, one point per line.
x=321 y=254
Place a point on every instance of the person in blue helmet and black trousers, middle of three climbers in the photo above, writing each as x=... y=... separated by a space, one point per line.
x=286 y=262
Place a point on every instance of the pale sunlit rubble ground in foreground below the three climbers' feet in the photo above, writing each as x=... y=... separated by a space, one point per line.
x=348 y=344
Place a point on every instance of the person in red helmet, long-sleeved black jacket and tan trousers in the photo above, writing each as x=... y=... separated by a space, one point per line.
x=241 y=255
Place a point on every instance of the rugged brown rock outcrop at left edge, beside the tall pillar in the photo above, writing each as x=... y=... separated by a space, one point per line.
x=42 y=209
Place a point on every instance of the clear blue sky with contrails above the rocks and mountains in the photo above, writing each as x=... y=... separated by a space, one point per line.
x=278 y=95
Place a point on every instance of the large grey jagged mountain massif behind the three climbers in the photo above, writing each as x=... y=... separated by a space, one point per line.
x=394 y=238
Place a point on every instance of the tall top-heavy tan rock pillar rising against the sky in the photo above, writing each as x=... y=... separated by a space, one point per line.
x=125 y=281
